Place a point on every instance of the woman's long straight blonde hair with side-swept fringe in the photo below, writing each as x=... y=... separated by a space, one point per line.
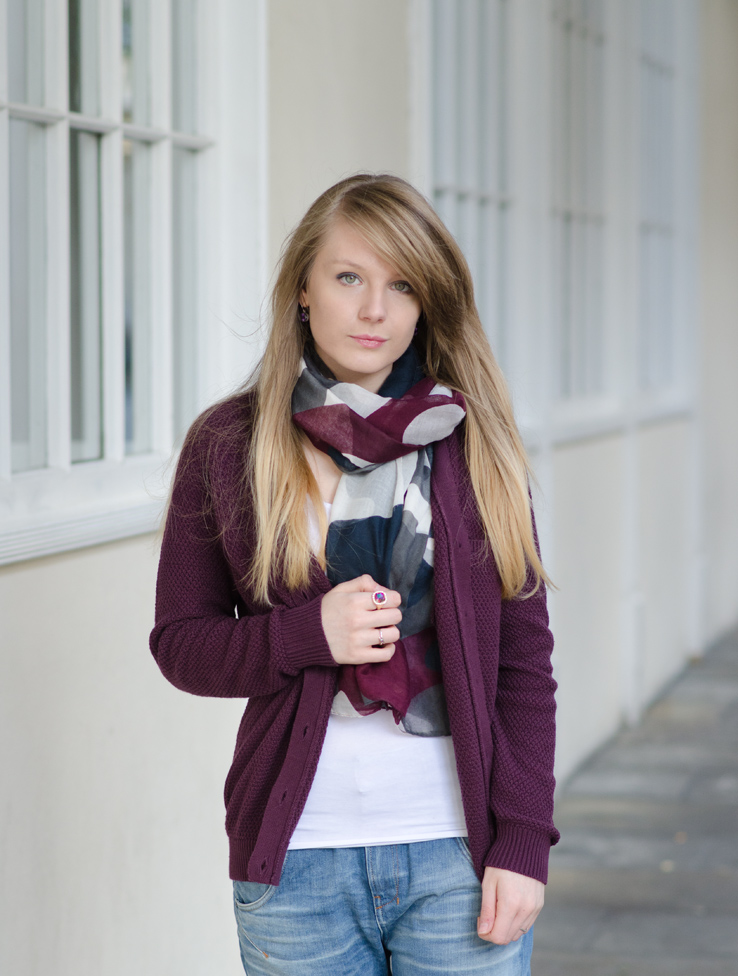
x=402 y=227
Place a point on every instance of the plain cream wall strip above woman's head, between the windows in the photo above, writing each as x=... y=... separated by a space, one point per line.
x=338 y=104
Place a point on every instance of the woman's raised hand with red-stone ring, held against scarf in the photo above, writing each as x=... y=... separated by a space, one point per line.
x=351 y=622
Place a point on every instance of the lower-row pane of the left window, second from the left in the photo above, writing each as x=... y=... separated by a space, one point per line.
x=86 y=345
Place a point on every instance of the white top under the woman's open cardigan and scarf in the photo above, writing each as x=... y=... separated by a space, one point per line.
x=376 y=784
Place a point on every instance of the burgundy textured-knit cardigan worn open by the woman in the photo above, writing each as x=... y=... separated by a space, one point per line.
x=212 y=637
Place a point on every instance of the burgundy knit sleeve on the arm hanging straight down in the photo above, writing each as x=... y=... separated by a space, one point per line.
x=523 y=732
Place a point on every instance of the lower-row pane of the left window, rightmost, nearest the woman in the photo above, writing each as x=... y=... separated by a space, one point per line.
x=184 y=298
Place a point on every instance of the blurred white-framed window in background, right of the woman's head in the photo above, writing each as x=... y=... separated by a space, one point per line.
x=561 y=158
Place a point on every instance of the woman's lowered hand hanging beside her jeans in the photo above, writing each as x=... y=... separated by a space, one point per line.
x=510 y=905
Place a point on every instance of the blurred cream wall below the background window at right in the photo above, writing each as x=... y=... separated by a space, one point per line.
x=622 y=613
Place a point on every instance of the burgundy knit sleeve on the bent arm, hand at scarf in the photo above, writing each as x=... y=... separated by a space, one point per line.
x=198 y=641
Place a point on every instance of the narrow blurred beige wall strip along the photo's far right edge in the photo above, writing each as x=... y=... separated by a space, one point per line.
x=719 y=310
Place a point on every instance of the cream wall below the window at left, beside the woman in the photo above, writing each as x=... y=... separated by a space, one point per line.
x=114 y=858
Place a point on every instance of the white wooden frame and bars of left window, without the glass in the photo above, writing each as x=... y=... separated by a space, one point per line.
x=64 y=505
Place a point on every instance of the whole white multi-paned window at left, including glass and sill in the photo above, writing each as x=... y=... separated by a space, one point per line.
x=111 y=118
